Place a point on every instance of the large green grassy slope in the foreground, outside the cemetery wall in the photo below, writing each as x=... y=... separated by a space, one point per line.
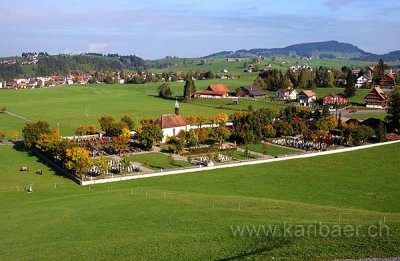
x=191 y=216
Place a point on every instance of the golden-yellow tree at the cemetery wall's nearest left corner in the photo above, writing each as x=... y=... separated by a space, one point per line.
x=78 y=159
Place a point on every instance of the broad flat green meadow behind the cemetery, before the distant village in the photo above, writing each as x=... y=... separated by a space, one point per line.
x=67 y=105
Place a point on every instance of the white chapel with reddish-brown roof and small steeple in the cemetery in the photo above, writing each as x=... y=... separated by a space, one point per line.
x=172 y=124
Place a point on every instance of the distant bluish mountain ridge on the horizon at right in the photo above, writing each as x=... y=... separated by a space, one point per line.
x=327 y=49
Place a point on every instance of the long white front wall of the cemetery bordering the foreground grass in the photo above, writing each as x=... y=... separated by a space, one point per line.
x=240 y=164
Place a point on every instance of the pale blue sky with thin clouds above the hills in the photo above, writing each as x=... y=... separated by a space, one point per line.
x=156 y=28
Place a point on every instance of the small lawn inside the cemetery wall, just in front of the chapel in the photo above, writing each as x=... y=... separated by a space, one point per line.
x=158 y=161
